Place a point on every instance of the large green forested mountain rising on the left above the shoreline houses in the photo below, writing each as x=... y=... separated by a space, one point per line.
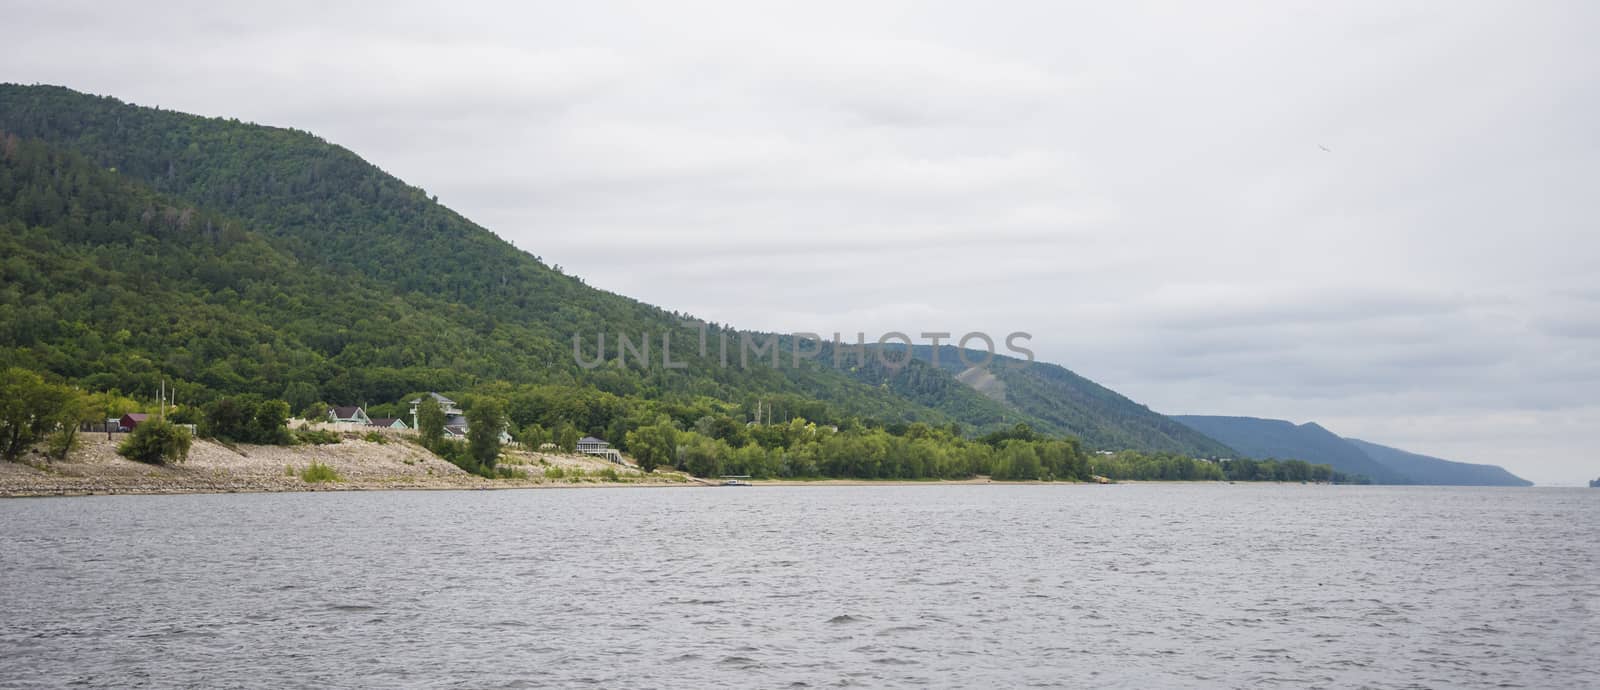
x=225 y=257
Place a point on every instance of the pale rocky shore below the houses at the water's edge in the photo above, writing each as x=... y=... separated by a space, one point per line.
x=95 y=468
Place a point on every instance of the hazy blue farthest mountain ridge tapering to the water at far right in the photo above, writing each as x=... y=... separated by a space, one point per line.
x=1314 y=444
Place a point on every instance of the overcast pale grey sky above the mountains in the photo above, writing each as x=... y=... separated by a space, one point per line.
x=1372 y=215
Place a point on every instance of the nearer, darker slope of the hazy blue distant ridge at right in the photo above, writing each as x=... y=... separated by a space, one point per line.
x=1286 y=441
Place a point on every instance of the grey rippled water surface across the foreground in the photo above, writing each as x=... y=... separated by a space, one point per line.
x=807 y=587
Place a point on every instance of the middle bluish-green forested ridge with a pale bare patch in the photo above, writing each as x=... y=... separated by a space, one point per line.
x=1065 y=401
